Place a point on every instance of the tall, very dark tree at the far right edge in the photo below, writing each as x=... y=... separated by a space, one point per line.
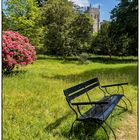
x=124 y=27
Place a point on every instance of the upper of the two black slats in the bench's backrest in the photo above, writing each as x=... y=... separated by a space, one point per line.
x=79 y=86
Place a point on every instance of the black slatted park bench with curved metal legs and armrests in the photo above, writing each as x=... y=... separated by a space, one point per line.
x=100 y=110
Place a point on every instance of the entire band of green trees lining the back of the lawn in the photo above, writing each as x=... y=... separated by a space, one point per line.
x=58 y=27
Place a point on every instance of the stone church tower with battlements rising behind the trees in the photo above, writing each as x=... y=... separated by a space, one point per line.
x=95 y=14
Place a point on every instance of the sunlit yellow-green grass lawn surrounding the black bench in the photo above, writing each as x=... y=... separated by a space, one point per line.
x=34 y=106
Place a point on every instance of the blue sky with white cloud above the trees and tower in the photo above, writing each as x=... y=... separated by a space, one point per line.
x=105 y=6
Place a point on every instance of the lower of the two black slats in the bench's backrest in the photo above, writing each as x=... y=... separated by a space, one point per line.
x=71 y=97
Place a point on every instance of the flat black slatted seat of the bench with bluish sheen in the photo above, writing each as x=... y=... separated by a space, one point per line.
x=99 y=113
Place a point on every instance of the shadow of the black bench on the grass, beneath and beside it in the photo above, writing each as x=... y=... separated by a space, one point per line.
x=88 y=130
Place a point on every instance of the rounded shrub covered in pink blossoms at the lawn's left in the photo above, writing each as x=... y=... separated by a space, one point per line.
x=16 y=50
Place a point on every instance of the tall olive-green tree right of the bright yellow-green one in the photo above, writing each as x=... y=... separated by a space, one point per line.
x=56 y=18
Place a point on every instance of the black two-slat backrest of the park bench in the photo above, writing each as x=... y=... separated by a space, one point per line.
x=75 y=91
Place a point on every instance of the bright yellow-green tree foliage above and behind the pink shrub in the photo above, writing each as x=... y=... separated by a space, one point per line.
x=23 y=16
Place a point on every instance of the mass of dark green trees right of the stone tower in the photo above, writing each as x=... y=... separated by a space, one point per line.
x=119 y=37
